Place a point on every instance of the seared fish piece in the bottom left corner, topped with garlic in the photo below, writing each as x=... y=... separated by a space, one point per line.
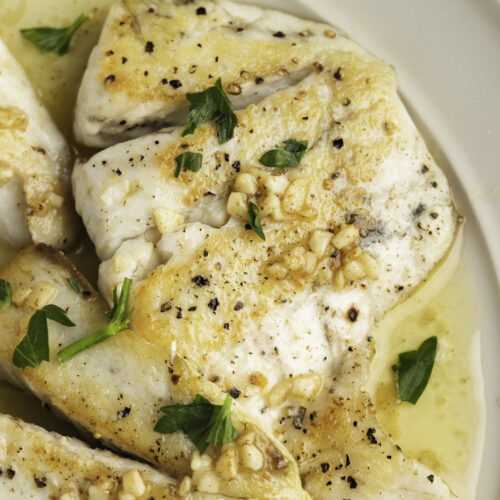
x=37 y=464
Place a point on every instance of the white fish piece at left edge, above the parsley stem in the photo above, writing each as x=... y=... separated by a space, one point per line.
x=35 y=164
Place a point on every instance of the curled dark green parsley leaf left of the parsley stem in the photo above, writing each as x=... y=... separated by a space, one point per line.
x=34 y=347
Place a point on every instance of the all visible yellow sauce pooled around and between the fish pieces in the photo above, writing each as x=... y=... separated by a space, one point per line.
x=443 y=430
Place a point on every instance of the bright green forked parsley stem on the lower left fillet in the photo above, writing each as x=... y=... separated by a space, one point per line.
x=120 y=320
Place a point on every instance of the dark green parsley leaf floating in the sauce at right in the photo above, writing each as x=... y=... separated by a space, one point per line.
x=414 y=369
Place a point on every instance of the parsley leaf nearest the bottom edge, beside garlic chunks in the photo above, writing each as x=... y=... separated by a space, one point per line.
x=203 y=422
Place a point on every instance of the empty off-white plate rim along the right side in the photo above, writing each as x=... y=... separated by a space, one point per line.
x=447 y=56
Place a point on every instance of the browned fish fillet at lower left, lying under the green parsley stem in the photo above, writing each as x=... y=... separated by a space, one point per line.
x=116 y=390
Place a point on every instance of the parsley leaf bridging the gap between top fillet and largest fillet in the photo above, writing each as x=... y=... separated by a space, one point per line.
x=212 y=104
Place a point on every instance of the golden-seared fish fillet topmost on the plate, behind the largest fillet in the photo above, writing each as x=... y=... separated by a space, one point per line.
x=151 y=54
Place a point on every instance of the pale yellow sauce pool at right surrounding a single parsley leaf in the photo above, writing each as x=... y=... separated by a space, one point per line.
x=444 y=429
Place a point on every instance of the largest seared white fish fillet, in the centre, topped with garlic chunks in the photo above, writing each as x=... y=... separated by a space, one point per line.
x=349 y=233
